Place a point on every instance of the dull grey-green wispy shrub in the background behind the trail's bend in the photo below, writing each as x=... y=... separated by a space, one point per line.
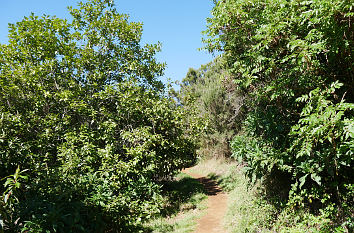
x=211 y=93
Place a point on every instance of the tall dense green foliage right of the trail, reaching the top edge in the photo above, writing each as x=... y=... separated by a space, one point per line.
x=293 y=60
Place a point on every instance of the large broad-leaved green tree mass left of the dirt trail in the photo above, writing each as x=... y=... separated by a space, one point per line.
x=84 y=124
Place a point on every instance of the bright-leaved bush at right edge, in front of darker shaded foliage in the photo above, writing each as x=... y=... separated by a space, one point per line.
x=323 y=144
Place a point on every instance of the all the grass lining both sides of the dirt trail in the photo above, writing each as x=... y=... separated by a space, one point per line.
x=248 y=208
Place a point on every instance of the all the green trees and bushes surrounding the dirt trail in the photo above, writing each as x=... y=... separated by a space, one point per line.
x=90 y=138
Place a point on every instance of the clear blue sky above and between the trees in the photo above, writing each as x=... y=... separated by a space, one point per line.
x=177 y=24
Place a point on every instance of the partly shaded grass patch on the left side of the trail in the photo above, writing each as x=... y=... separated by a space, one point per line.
x=184 y=198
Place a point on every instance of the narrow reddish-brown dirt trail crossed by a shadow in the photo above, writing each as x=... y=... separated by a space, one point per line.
x=216 y=207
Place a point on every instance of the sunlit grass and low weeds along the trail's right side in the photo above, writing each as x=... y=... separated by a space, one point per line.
x=248 y=208
